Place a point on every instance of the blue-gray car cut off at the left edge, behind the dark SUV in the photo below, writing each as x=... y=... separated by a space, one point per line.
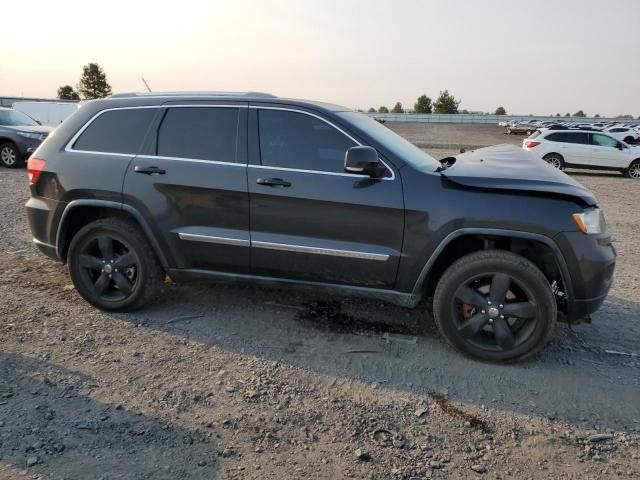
x=20 y=135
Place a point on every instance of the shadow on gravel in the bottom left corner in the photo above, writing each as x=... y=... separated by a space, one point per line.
x=51 y=429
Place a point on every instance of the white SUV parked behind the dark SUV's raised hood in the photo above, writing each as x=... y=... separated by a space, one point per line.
x=584 y=149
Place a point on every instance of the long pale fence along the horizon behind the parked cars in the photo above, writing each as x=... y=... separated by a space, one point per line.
x=477 y=118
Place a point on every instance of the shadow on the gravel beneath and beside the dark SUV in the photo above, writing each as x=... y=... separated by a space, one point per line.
x=575 y=379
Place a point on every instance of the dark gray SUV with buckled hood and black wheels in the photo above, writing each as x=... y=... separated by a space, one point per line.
x=254 y=187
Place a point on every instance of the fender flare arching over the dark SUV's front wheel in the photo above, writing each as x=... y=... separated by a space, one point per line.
x=496 y=232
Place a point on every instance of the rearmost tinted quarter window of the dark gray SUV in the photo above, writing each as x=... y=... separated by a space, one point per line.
x=116 y=131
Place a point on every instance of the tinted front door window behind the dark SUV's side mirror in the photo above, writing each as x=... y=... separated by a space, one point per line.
x=300 y=141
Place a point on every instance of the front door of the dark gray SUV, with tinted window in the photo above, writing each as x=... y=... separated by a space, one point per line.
x=311 y=220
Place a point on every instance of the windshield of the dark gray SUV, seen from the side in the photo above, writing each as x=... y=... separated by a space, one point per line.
x=391 y=141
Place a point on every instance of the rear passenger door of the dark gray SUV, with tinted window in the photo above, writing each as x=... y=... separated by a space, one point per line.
x=190 y=184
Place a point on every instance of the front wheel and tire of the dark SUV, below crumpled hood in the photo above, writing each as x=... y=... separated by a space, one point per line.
x=468 y=322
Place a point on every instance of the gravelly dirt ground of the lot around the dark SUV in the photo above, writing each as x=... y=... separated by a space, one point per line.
x=237 y=382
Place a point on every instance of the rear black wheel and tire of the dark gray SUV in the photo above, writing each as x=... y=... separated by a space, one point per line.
x=112 y=265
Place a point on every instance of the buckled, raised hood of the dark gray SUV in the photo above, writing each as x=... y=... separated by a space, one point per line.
x=507 y=167
